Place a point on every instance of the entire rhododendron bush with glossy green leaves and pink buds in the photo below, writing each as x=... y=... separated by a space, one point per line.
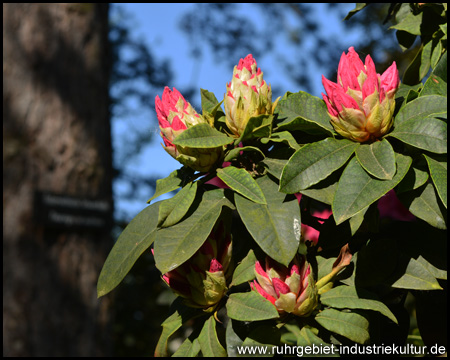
x=303 y=220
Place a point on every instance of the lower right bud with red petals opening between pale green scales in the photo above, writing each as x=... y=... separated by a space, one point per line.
x=291 y=289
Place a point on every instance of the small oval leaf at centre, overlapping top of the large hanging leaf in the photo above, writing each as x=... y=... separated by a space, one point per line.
x=242 y=182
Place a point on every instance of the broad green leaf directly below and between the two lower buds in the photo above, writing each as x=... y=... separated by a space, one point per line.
x=250 y=306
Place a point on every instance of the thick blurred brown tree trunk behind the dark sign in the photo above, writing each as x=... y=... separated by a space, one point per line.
x=56 y=138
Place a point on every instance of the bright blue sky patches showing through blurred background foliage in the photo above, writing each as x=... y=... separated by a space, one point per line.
x=158 y=26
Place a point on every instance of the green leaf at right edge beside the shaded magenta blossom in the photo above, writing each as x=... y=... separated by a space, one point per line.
x=425 y=205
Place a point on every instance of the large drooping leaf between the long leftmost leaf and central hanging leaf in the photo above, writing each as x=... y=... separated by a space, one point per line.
x=176 y=244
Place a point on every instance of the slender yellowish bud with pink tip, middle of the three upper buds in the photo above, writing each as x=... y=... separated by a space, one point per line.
x=247 y=95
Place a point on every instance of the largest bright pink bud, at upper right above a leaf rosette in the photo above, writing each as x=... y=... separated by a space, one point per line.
x=361 y=104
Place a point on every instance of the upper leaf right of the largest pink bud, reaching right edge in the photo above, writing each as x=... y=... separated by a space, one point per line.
x=421 y=108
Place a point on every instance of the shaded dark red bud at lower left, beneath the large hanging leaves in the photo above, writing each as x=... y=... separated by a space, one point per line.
x=202 y=280
